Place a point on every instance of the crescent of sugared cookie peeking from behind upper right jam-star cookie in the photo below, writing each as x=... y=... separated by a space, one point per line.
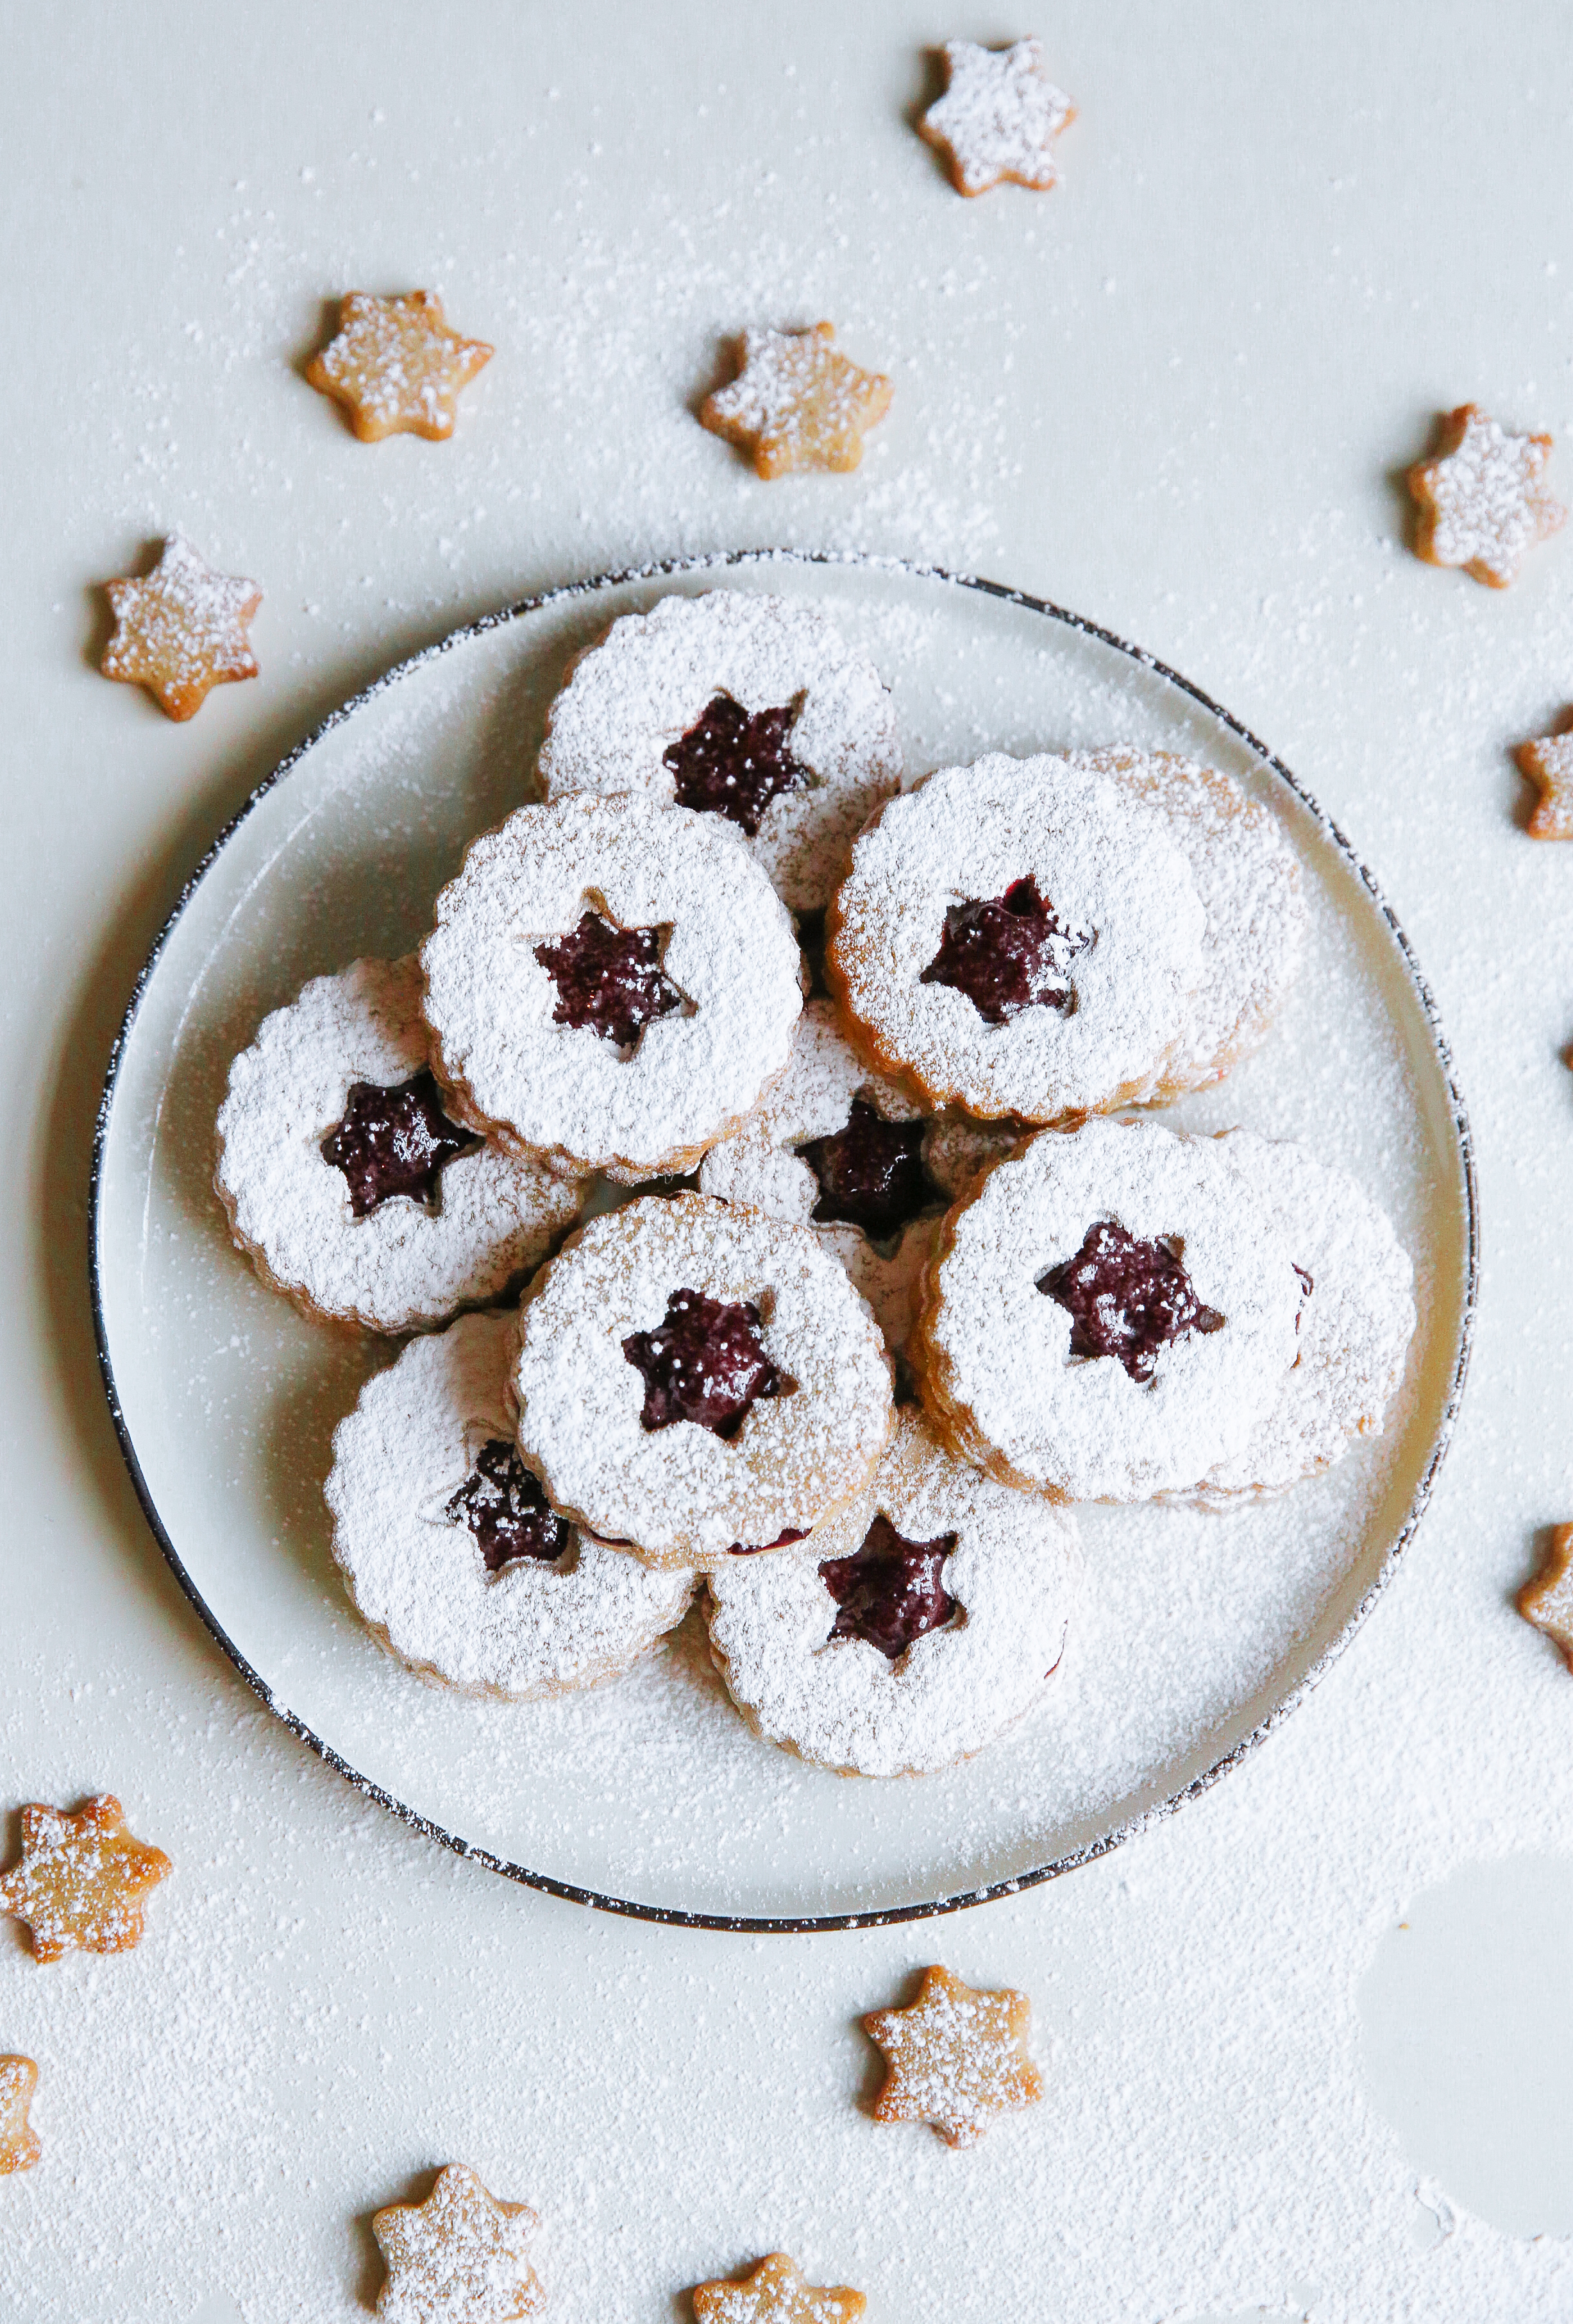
x=1249 y=884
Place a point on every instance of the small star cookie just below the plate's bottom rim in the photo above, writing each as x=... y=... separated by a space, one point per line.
x=956 y=2058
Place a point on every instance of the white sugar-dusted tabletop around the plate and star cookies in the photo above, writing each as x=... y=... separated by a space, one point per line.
x=1175 y=396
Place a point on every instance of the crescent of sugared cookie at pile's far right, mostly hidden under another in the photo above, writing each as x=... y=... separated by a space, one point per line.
x=1356 y=1321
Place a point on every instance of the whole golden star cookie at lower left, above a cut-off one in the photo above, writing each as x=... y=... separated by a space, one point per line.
x=80 y=1879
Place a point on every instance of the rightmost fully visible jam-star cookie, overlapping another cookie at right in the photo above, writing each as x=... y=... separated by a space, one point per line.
x=1109 y=1317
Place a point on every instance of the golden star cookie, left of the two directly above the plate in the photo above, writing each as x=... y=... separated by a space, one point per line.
x=396 y=366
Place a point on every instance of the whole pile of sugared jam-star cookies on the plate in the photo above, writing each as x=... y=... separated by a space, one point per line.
x=745 y=1152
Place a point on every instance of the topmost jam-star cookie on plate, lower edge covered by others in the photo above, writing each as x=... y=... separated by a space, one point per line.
x=749 y=710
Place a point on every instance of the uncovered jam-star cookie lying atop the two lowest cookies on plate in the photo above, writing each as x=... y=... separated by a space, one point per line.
x=698 y=1379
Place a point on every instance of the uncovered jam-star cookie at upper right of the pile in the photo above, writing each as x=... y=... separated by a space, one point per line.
x=1019 y=938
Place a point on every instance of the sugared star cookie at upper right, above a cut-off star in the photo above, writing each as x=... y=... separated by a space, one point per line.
x=1484 y=498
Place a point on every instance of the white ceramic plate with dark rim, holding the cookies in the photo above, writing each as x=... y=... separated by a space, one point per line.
x=652 y=1795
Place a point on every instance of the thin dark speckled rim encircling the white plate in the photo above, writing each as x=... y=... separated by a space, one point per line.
x=958 y=1900
